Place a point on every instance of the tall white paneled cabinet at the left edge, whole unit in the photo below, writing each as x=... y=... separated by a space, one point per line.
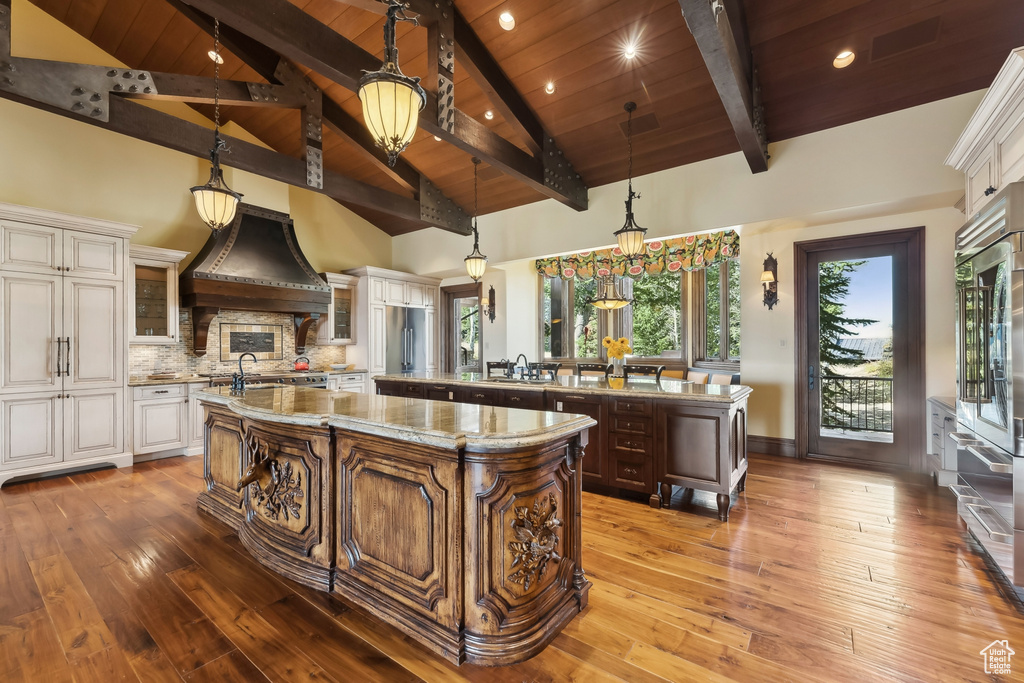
x=63 y=361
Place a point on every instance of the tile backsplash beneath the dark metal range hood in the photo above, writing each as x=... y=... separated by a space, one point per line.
x=144 y=360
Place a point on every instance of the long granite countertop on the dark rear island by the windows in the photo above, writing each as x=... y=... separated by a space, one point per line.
x=637 y=388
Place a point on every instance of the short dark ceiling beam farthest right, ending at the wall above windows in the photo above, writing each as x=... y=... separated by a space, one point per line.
x=728 y=55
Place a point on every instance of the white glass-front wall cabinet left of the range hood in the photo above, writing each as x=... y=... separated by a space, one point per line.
x=154 y=292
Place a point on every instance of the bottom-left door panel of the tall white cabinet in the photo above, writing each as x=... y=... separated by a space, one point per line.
x=32 y=426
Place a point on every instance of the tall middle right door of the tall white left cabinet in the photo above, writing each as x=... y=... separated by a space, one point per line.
x=94 y=322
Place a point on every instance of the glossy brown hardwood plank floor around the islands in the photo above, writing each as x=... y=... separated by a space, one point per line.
x=823 y=573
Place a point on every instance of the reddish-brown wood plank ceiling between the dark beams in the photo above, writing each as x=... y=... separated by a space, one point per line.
x=909 y=54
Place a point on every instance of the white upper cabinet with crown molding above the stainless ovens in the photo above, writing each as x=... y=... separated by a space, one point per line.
x=991 y=151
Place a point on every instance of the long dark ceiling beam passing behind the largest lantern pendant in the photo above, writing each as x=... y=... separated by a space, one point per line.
x=289 y=31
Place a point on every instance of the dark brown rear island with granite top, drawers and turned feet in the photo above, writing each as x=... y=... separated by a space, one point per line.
x=651 y=436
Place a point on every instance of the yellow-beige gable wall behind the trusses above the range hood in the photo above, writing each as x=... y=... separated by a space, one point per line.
x=65 y=165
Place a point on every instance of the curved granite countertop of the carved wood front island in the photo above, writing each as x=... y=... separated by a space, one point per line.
x=435 y=423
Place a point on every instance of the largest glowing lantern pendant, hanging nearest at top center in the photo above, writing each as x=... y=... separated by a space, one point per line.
x=392 y=101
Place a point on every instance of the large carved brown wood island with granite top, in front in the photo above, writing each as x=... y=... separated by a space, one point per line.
x=458 y=524
